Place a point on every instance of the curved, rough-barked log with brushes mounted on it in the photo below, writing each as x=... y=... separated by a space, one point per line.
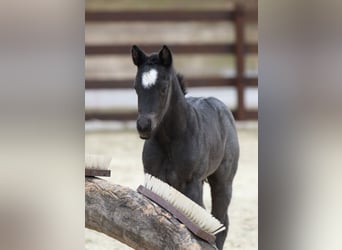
x=133 y=219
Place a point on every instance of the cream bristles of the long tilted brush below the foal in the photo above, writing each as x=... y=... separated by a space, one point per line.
x=195 y=213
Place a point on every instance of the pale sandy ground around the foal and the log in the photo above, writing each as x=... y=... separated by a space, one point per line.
x=125 y=147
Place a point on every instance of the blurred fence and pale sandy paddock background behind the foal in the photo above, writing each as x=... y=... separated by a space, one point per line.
x=213 y=68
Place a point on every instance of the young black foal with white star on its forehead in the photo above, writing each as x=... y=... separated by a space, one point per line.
x=188 y=140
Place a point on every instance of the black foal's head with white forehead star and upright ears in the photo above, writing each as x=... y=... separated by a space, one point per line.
x=153 y=87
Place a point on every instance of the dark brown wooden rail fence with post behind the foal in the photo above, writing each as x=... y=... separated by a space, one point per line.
x=239 y=48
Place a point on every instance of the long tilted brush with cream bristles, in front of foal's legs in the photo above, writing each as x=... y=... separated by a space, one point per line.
x=198 y=220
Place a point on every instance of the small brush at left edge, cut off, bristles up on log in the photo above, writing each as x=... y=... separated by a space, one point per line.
x=97 y=165
